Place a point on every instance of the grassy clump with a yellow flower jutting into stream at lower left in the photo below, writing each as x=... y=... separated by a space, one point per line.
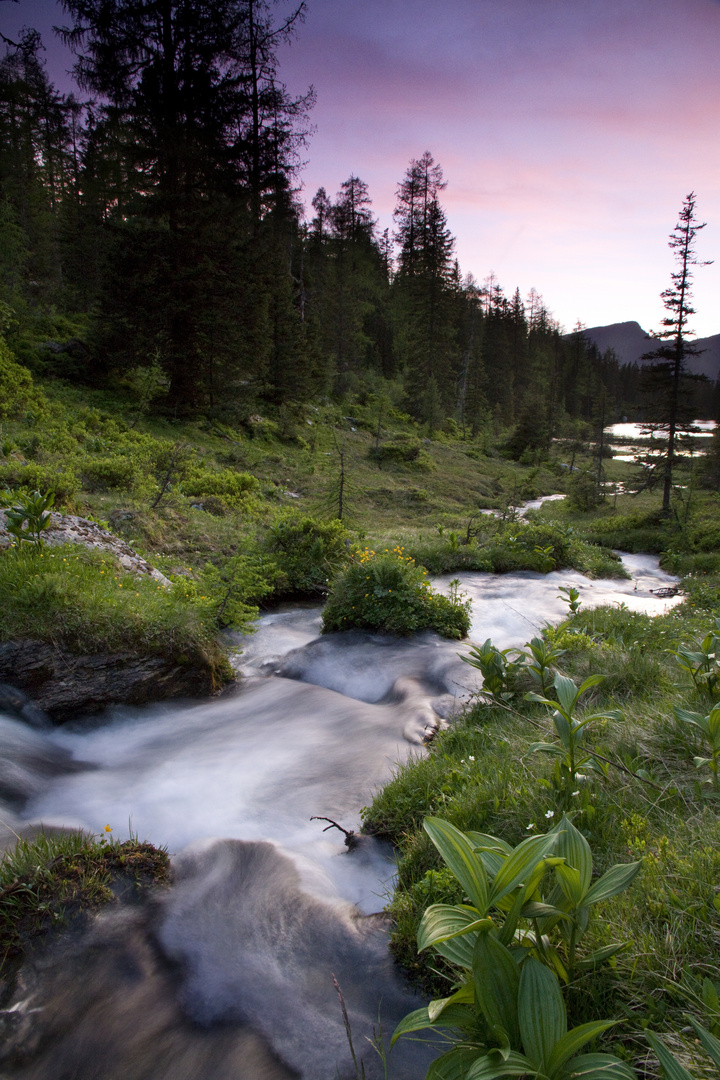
x=48 y=882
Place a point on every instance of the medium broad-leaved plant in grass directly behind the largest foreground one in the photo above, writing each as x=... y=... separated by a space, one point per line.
x=570 y=730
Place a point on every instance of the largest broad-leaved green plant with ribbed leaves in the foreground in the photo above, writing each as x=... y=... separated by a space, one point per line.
x=513 y=943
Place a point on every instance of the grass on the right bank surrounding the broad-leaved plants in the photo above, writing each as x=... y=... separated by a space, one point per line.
x=653 y=804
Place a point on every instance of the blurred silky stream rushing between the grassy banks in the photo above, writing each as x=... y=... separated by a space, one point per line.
x=229 y=975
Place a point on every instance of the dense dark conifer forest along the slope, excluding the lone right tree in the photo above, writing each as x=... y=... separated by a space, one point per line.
x=165 y=209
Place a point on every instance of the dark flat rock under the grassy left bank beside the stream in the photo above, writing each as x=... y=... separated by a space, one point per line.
x=66 y=685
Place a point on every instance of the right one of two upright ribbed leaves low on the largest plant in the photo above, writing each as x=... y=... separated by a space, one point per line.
x=541 y=1012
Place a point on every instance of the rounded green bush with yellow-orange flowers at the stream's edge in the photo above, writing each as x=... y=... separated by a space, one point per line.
x=389 y=592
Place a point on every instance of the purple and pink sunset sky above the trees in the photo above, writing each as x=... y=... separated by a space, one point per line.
x=569 y=133
